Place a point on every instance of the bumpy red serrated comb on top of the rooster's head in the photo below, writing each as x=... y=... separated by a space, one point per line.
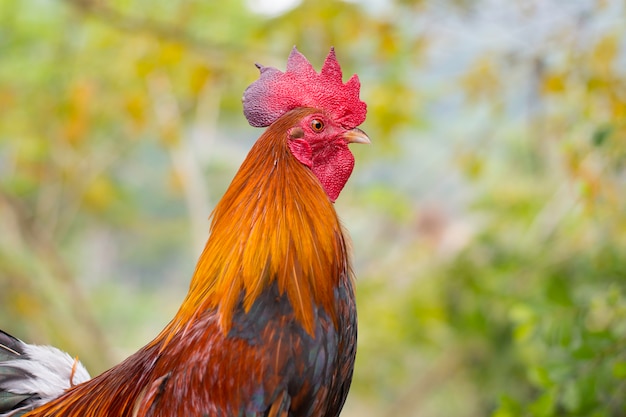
x=277 y=92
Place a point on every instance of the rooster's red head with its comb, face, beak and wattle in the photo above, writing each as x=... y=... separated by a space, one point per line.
x=319 y=137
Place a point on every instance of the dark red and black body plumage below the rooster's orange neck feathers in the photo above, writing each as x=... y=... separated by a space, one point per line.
x=267 y=364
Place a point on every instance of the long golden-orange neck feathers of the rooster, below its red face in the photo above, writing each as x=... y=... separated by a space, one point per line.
x=274 y=223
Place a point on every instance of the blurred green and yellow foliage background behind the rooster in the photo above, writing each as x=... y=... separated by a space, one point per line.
x=488 y=216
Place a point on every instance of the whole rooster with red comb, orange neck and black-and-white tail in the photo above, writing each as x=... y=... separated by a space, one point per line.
x=268 y=327
